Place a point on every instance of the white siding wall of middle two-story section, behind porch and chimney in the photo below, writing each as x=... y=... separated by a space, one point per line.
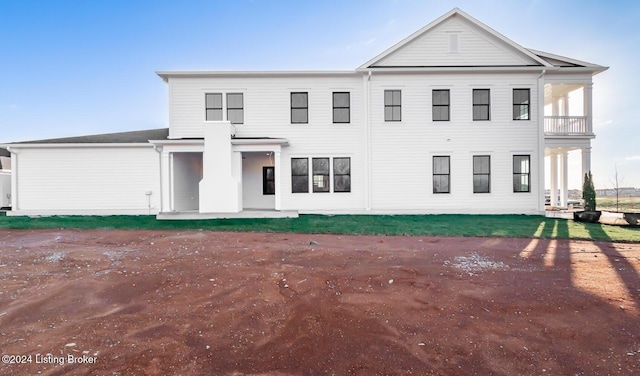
x=267 y=114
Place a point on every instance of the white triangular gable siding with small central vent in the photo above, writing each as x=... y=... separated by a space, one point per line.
x=475 y=47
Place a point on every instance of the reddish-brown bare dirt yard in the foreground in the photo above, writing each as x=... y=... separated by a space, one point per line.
x=206 y=303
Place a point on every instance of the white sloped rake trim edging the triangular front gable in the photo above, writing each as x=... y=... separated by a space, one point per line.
x=440 y=19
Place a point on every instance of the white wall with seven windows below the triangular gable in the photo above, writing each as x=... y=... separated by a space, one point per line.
x=402 y=151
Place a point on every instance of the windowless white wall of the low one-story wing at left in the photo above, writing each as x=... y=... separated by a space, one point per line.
x=87 y=180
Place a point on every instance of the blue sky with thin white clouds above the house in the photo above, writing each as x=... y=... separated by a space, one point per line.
x=82 y=67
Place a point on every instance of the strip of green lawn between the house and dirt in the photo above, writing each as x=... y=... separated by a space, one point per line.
x=444 y=225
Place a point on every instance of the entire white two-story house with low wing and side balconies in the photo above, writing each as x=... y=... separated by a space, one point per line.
x=456 y=118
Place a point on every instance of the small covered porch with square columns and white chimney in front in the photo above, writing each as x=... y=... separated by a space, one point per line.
x=220 y=176
